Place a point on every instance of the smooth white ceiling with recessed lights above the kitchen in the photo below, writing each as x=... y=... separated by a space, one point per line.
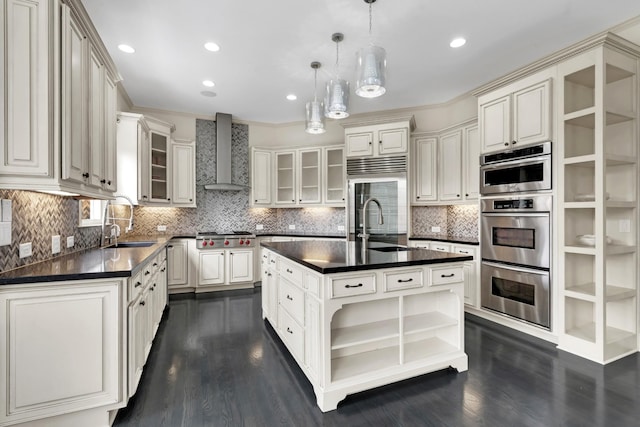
x=267 y=46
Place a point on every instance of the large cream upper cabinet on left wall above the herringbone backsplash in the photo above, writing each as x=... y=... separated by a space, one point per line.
x=59 y=87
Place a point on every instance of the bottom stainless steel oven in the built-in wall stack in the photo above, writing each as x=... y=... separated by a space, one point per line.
x=516 y=291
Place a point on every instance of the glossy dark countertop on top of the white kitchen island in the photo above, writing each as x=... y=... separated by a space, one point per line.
x=338 y=257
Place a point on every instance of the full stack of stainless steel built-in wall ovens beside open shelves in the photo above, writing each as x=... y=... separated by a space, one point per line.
x=515 y=230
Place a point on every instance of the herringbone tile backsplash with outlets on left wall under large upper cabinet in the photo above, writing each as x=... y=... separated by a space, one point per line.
x=37 y=217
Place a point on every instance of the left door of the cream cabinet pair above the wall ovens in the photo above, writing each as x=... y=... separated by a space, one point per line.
x=495 y=124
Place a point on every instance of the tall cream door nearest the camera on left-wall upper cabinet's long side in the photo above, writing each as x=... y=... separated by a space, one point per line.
x=74 y=94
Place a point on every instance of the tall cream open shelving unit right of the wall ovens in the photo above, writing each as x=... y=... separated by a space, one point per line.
x=598 y=192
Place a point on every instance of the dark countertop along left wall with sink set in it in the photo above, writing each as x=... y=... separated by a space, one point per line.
x=88 y=264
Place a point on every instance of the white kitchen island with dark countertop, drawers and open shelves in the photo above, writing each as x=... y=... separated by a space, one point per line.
x=354 y=320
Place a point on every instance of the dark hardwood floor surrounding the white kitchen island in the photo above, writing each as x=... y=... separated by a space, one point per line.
x=216 y=363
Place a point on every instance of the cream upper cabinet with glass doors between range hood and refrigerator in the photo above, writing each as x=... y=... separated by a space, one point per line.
x=305 y=177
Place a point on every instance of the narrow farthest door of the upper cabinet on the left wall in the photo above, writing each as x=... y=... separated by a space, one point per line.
x=110 y=129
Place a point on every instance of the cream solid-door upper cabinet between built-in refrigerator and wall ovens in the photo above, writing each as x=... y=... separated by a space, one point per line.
x=446 y=165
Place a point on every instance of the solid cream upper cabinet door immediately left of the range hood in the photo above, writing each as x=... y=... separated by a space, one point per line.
x=183 y=157
